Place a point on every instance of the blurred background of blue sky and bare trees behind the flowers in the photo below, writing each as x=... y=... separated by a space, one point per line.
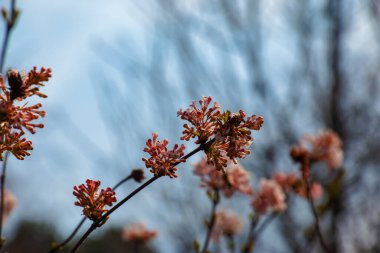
x=122 y=69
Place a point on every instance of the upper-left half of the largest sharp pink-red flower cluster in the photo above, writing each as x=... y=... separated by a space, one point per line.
x=203 y=120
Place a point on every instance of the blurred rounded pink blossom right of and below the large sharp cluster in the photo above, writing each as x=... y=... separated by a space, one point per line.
x=270 y=196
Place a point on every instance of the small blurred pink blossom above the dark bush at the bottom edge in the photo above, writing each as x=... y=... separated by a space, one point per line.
x=138 y=232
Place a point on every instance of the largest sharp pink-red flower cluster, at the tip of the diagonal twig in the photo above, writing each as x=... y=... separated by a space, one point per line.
x=231 y=132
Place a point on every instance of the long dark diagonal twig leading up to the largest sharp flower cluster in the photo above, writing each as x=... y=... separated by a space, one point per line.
x=105 y=216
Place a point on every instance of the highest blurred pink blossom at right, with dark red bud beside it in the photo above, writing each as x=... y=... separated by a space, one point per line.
x=326 y=146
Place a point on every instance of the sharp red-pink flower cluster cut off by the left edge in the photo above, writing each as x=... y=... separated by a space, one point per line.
x=15 y=119
